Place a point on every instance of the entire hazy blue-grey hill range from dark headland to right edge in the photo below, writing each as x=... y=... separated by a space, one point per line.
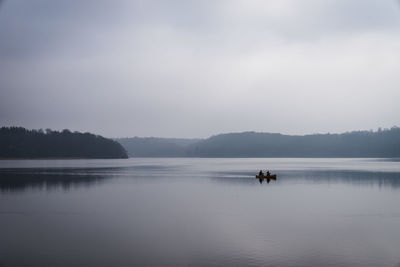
x=382 y=143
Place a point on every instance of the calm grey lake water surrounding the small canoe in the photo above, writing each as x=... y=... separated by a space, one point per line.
x=199 y=212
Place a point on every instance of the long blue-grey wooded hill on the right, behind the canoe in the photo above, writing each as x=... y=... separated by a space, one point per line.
x=383 y=143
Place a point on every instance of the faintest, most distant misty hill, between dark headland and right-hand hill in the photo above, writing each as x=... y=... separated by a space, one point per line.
x=156 y=147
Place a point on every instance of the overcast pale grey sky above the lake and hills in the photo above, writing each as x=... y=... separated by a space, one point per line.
x=199 y=68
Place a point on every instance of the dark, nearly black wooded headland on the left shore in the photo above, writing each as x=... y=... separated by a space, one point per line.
x=18 y=142
